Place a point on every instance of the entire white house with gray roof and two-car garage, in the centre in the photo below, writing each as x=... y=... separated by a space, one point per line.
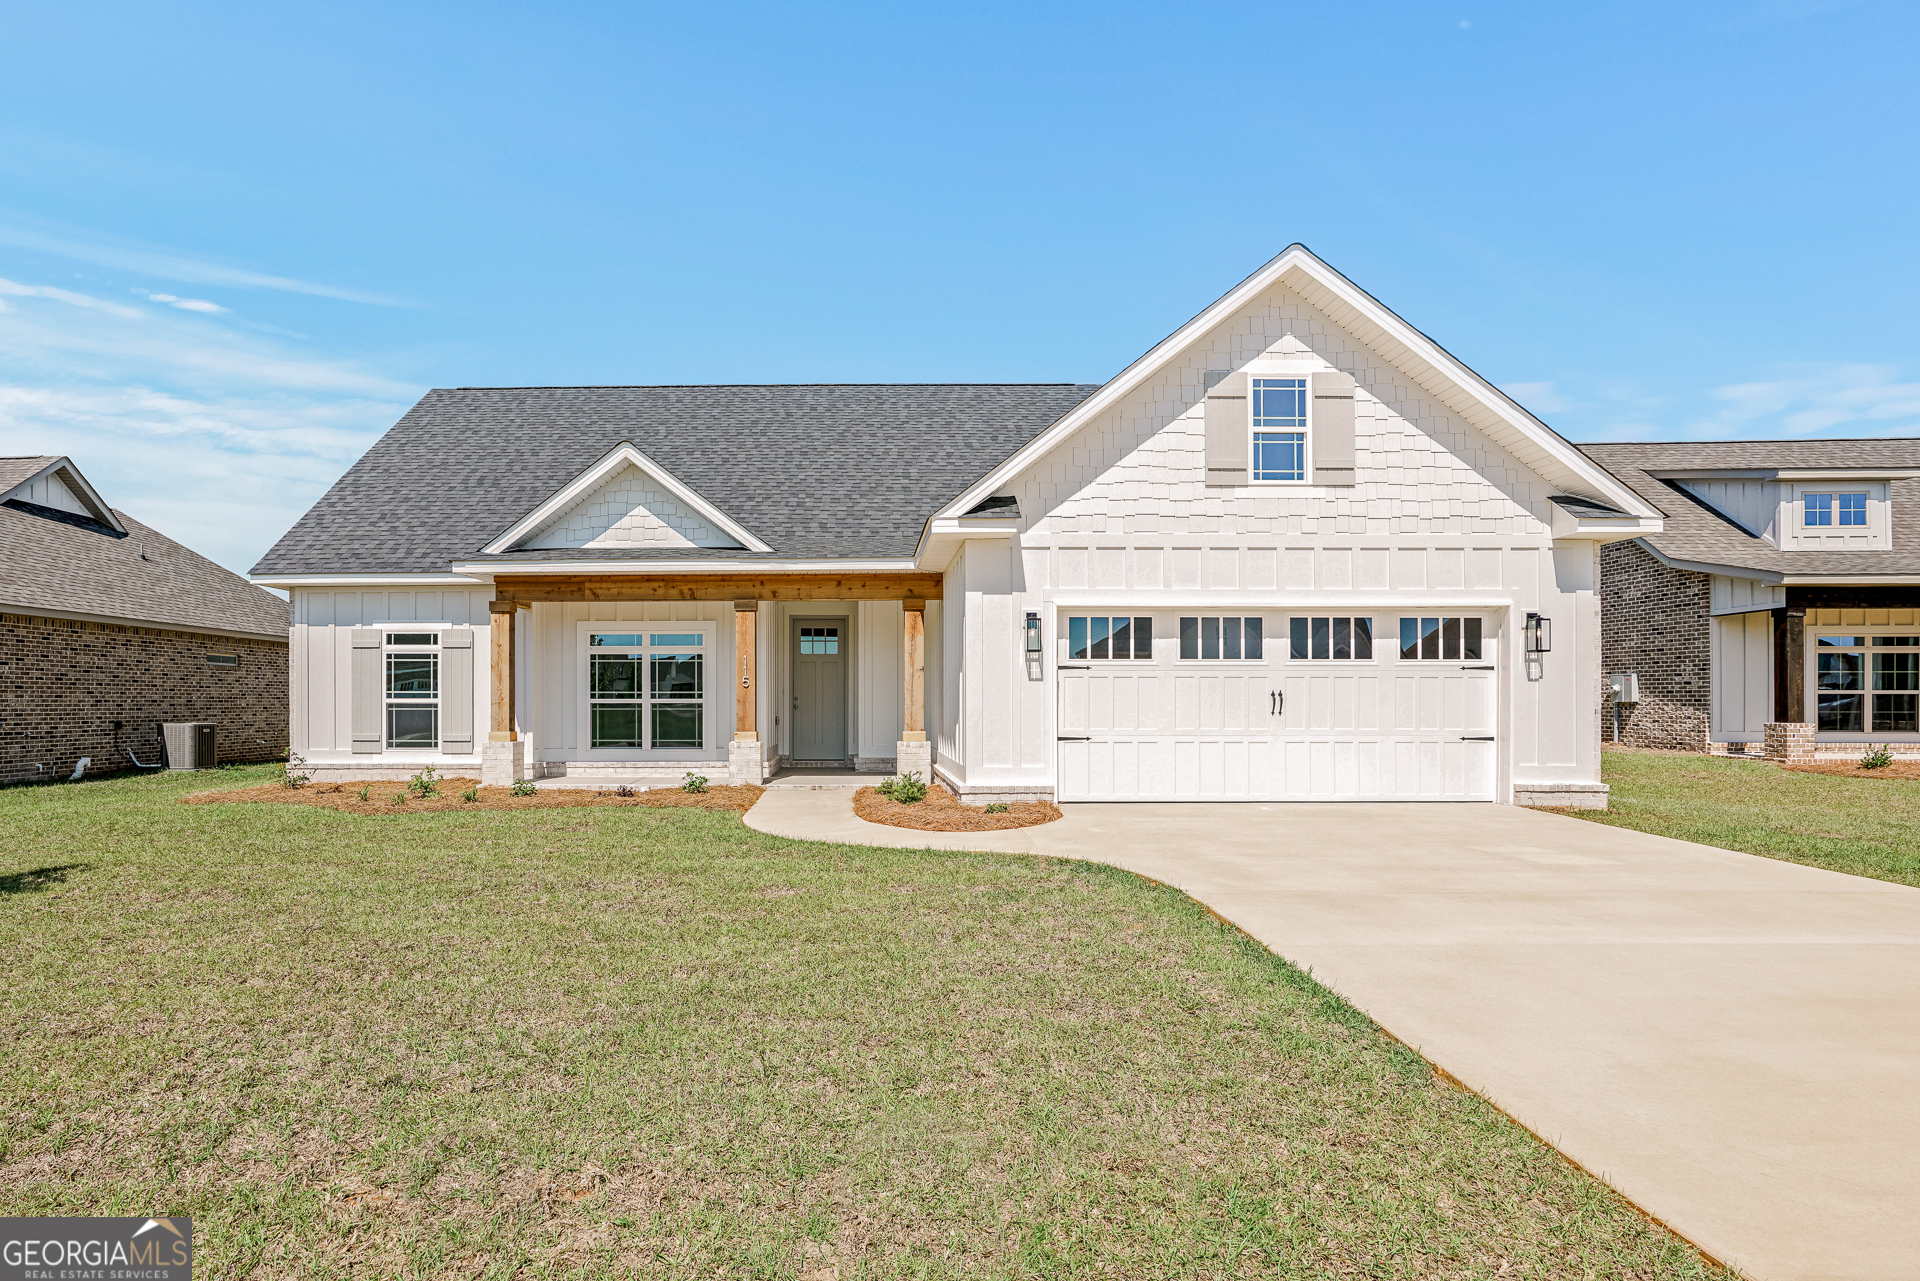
x=1293 y=552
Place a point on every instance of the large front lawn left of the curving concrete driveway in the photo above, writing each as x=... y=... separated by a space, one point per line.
x=661 y=1044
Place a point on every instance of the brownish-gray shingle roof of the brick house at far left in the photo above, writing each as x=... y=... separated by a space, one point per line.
x=72 y=566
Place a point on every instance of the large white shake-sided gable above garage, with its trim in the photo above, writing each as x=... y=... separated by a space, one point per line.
x=1437 y=445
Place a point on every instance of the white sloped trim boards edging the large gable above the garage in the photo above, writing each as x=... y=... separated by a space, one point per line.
x=1531 y=441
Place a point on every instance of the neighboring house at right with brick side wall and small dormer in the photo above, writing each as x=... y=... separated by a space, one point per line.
x=1783 y=591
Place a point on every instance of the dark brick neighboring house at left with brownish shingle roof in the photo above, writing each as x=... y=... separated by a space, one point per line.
x=110 y=629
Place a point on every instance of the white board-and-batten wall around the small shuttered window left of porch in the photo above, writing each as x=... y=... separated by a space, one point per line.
x=322 y=660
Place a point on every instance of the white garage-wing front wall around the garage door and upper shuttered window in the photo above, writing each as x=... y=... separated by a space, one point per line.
x=1122 y=512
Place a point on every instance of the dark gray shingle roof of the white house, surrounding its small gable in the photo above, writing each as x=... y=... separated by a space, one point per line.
x=813 y=471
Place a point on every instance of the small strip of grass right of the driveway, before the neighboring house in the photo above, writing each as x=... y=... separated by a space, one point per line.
x=1867 y=827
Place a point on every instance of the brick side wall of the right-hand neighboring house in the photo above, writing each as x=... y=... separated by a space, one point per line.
x=1656 y=621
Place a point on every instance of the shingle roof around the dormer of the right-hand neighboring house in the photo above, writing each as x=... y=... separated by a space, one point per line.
x=1696 y=533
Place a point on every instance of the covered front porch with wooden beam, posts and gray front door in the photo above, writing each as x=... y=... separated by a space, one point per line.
x=646 y=677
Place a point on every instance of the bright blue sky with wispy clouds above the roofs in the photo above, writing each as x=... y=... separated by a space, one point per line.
x=239 y=241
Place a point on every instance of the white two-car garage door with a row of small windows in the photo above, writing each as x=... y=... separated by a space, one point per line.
x=1376 y=710
